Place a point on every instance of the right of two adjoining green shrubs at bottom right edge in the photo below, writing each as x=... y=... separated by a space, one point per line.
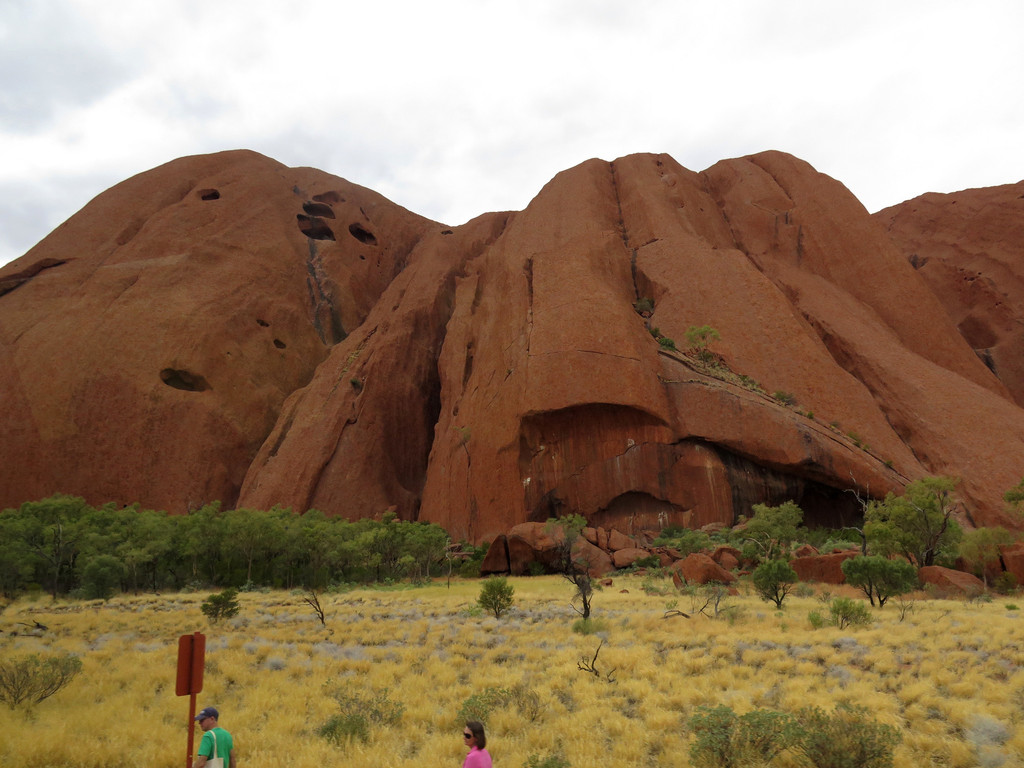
x=847 y=739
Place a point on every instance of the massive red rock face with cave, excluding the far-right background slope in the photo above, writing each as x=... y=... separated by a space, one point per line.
x=226 y=328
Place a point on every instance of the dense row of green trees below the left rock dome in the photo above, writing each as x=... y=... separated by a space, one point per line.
x=66 y=546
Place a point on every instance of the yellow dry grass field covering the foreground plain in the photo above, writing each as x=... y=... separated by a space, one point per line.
x=950 y=676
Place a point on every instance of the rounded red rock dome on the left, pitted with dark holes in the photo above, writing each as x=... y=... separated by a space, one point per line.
x=148 y=345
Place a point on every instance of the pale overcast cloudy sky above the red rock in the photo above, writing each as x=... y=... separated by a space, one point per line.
x=453 y=109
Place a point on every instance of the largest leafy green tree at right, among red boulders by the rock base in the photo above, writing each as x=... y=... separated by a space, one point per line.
x=919 y=525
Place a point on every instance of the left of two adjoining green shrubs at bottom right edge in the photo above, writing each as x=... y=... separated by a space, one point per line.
x=724 y=741
